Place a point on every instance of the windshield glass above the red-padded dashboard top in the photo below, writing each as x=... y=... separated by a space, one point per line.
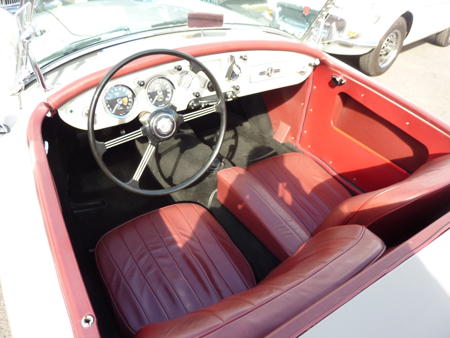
x=65 y=26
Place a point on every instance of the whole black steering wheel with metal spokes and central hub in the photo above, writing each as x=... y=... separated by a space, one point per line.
x=157 y=126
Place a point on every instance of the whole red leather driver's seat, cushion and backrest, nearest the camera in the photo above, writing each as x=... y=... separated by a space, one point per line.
x=174 y=272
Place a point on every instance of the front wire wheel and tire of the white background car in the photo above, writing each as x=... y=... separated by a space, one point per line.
x=383 y=56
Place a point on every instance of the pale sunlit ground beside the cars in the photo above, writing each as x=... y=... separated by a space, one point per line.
x=421 y=73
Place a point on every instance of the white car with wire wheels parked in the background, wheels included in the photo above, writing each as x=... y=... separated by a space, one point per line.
x=374 y=31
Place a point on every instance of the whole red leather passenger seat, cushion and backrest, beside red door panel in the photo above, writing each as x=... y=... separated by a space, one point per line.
x=286 y=198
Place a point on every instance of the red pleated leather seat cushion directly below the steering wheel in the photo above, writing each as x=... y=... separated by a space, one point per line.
x=168 y=263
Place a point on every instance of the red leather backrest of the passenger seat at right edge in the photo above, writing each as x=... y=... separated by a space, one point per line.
x=381 y=209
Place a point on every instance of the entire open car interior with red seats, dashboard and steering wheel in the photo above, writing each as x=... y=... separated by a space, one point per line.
x=314 y=179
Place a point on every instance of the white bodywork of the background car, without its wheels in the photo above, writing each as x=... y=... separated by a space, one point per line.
x=368 y=21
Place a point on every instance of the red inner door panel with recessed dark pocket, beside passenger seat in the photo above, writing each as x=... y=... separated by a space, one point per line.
x=370 y=140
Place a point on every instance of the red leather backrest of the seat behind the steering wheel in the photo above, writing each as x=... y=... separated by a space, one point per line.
x=326 y=261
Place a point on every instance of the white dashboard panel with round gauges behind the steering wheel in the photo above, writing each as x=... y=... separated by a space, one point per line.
x=179 y=87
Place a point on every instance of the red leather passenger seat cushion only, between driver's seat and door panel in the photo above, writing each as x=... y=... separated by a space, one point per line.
x=282 y=199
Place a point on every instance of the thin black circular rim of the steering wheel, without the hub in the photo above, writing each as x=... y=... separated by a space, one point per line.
x=98 y=148
